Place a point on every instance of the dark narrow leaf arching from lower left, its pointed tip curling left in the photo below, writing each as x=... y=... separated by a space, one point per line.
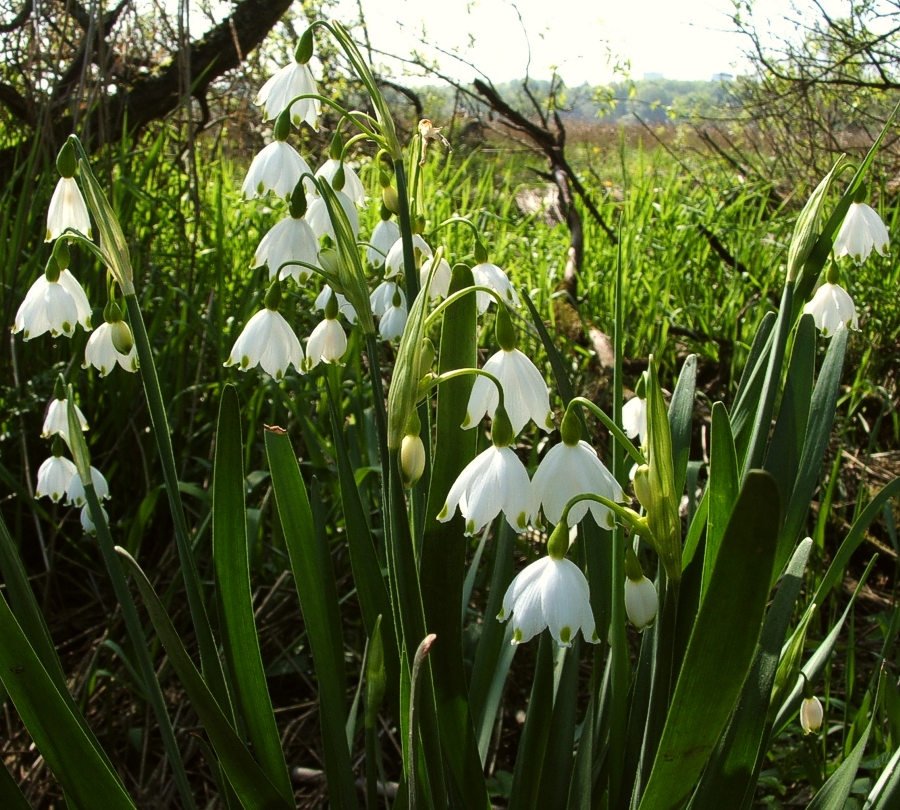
x=251 y=785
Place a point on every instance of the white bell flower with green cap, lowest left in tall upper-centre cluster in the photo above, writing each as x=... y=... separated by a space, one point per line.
x=268 y=340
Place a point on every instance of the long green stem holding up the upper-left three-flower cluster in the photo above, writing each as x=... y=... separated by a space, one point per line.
x=209 y=656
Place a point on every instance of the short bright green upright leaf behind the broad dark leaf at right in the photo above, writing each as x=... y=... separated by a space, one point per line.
x=722 y=490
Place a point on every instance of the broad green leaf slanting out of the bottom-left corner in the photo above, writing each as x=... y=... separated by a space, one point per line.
x=69 y=749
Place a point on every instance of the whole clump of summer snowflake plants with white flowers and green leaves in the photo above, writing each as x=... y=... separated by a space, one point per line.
x=723 y=666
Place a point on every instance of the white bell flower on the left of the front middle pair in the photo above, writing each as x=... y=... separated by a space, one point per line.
x=494 y=481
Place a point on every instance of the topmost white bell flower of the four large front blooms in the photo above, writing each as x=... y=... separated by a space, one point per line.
x=525 y=393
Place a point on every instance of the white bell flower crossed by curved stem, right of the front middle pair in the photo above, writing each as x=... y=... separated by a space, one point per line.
x=569 y=470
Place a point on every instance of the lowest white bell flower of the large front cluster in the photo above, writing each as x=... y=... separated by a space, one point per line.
x=550 y=593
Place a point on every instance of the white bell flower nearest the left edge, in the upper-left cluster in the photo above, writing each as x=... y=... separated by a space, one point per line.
x=53 y=306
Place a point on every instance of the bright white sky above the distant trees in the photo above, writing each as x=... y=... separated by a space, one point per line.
x=681 y=39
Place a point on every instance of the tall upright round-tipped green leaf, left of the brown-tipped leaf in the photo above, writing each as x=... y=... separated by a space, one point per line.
x=232 y=561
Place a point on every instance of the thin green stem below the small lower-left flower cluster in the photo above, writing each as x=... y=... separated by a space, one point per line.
x=152 y=690
